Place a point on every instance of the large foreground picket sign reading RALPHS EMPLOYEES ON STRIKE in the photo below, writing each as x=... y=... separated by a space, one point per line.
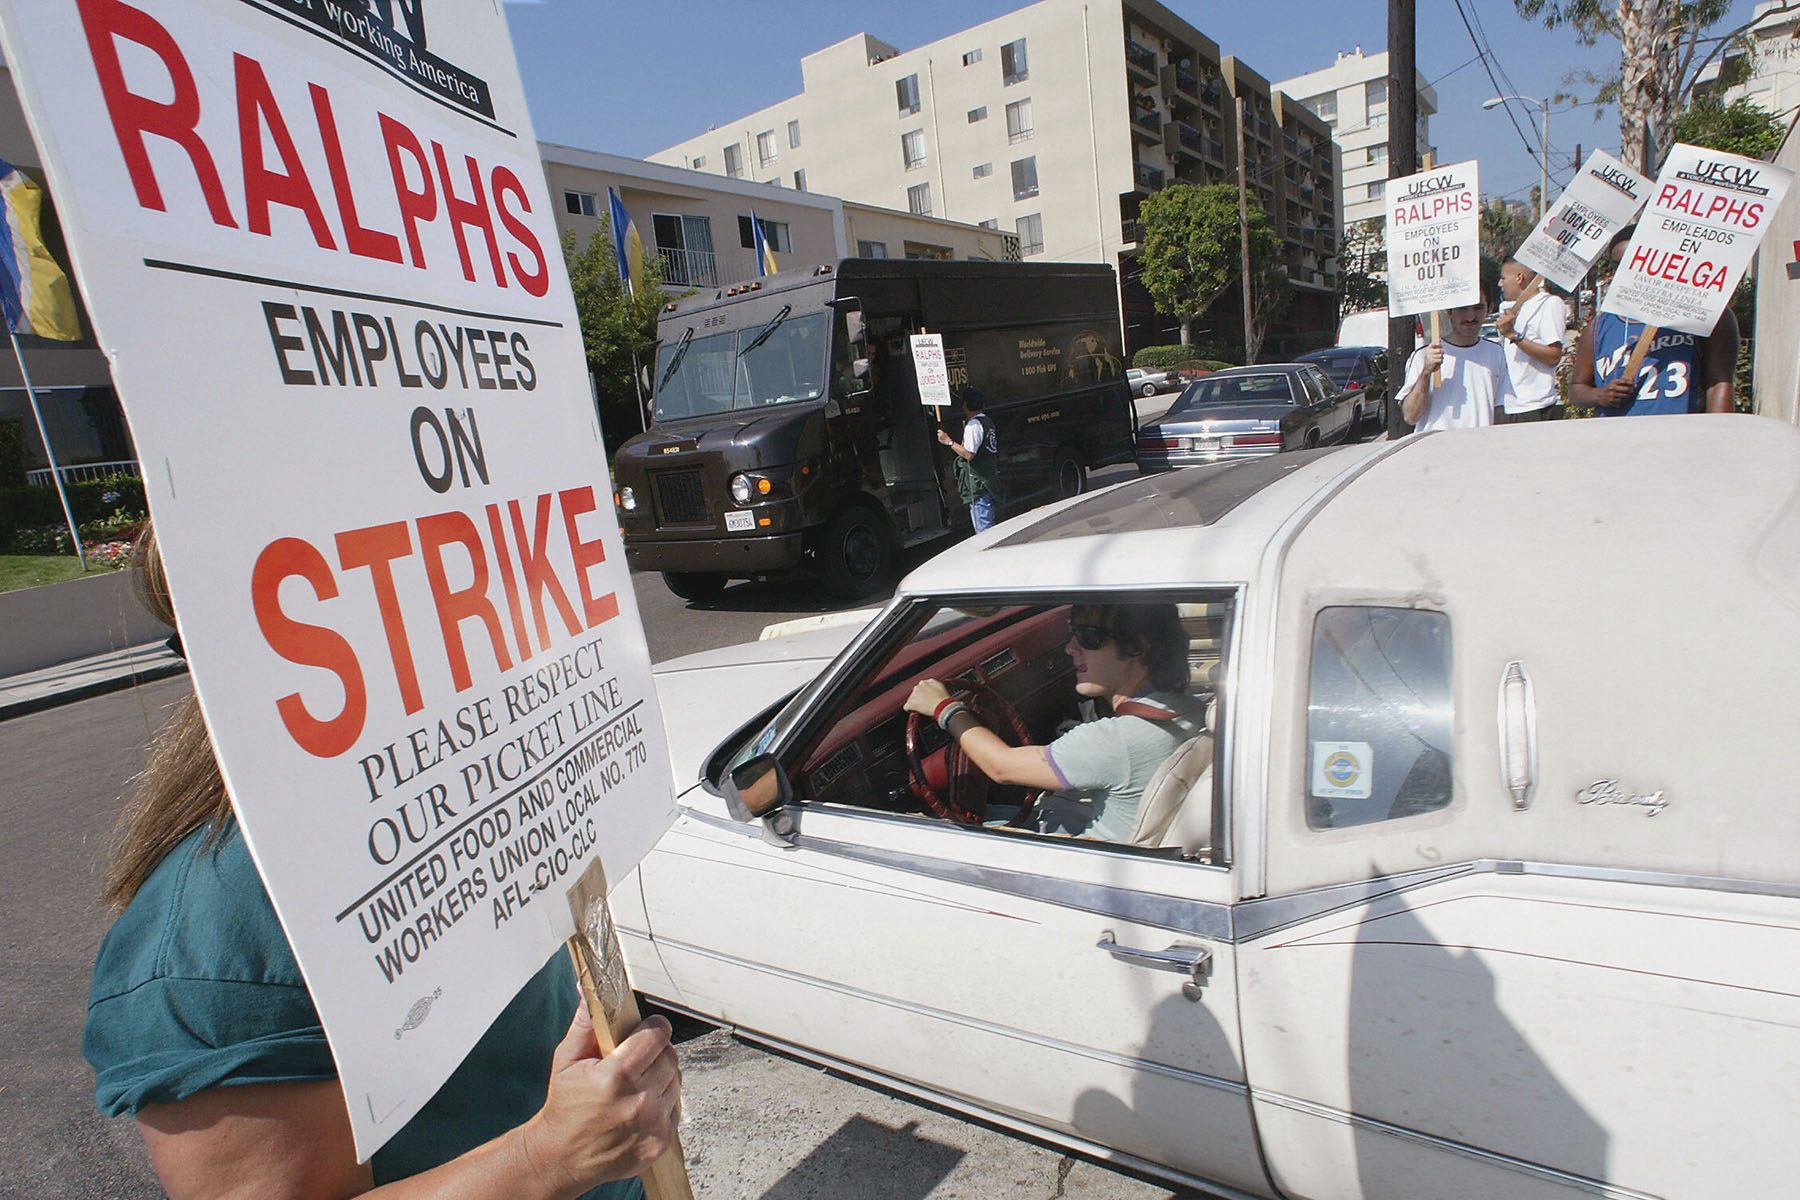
x=327 y=269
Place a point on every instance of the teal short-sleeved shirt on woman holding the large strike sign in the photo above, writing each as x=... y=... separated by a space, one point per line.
x=195 y=989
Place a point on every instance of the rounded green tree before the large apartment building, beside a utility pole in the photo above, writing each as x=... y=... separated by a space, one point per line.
x=1191 y=249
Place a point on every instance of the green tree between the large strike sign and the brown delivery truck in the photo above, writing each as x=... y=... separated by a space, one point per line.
x=618 y=330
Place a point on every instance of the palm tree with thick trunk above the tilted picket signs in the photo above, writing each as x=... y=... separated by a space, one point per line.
x=1664 y=48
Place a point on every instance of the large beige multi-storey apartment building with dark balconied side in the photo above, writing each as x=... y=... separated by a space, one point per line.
x=1054 y=123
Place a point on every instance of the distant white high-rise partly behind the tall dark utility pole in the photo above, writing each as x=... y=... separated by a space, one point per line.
x=1351 y=96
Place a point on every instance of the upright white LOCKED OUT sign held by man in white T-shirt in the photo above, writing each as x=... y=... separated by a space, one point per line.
x=1434 y=240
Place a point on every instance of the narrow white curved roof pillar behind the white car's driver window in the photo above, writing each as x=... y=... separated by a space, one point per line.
x=1257 y=681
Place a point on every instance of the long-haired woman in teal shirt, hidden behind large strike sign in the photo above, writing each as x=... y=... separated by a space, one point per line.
x=202 y=1028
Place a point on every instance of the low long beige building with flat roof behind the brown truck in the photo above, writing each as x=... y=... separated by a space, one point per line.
x=701 y=224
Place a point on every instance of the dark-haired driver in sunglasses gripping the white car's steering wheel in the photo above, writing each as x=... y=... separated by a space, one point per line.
x=1135 y=658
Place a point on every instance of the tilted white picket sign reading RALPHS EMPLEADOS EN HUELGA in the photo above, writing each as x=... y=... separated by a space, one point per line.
x=1696 y=238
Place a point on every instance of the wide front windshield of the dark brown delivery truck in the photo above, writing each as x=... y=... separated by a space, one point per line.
x=777 y=363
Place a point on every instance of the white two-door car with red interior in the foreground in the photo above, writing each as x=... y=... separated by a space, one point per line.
x=1484 y=881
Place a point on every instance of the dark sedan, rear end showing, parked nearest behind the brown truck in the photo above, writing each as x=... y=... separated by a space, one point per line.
x=1248 y=413
